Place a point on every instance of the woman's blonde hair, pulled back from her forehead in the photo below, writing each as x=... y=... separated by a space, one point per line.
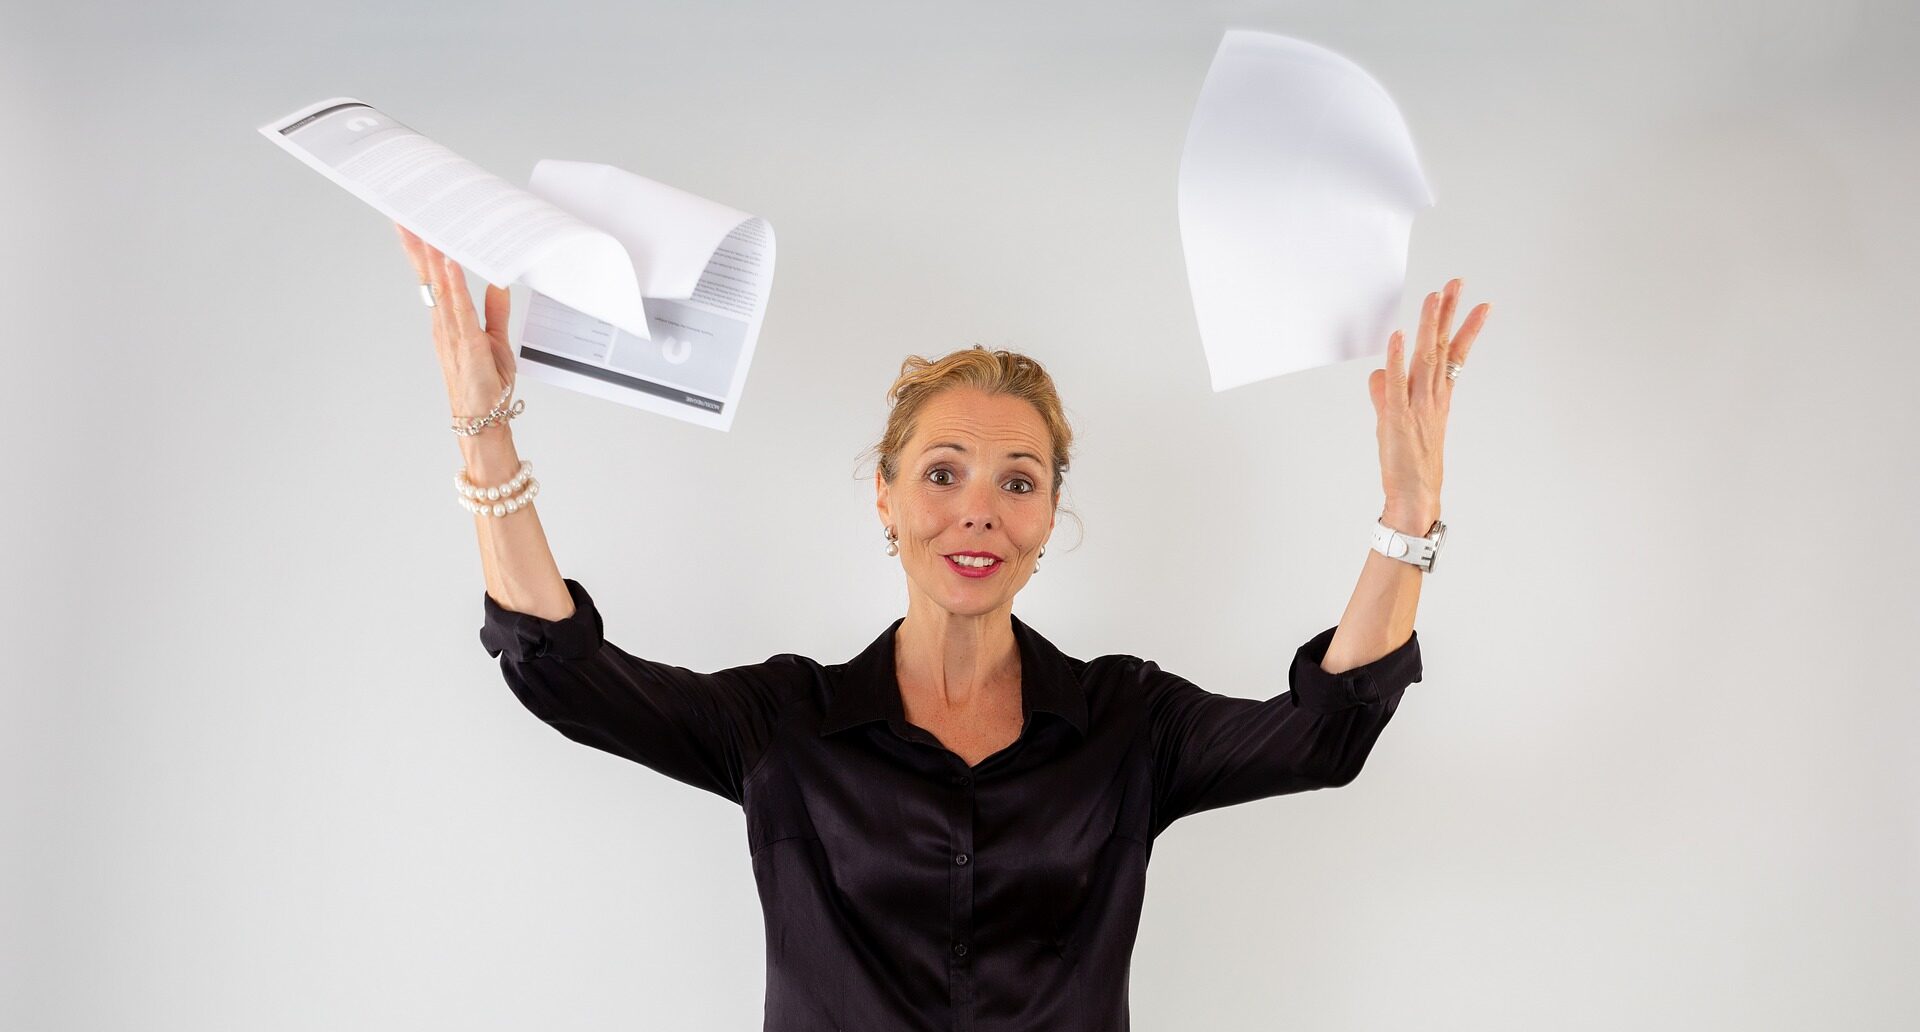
x=999 y=373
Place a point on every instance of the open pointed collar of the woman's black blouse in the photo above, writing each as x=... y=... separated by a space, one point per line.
x=867 y=690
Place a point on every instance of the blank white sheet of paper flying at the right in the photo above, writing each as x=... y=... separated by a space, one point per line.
x=1299 y=189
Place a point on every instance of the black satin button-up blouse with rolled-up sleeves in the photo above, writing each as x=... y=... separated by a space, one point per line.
x=905 y=891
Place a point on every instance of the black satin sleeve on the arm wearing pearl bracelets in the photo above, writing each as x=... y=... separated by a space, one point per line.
x=704 y=730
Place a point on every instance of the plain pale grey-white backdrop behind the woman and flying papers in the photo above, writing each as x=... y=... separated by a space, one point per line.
x=260 y=772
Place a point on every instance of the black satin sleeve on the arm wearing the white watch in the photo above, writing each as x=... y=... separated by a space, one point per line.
x=1216 y=751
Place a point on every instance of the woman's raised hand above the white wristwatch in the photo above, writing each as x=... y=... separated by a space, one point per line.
x=1412 y=406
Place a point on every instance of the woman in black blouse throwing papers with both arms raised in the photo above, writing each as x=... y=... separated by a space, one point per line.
x=953 y=828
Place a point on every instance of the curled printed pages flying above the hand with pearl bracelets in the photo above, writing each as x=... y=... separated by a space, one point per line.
x=642 y=294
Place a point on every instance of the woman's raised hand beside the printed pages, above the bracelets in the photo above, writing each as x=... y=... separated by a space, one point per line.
x=477 y=360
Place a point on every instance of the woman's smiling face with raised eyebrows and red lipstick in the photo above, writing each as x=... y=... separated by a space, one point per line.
x=992 y=494
